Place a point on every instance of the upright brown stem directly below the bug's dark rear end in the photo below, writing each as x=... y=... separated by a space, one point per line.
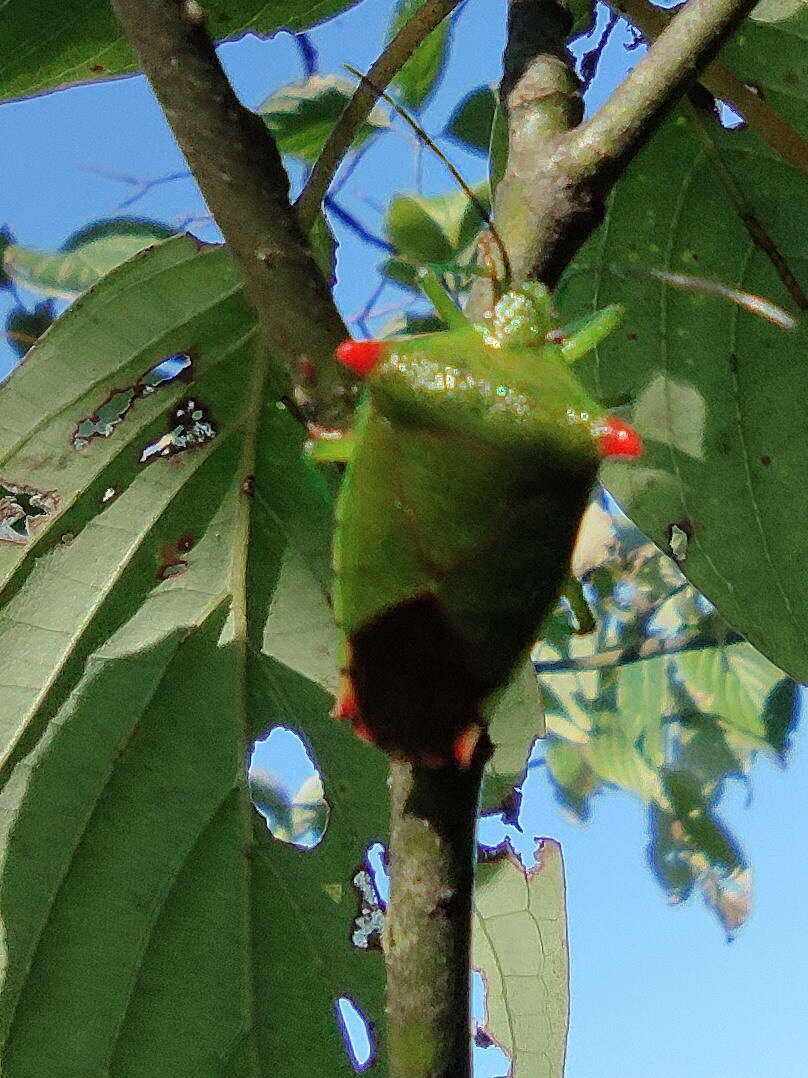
x=428 y=923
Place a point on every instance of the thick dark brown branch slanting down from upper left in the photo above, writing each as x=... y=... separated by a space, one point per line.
x=239 y=169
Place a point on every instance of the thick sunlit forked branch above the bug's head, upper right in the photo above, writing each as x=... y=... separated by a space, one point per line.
x=558 y=179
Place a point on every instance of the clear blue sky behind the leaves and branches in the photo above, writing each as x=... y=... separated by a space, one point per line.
x=658 y=991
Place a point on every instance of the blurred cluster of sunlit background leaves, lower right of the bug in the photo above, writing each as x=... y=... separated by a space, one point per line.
x=670 y=729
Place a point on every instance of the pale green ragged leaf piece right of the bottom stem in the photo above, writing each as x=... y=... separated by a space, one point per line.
x=520 y=945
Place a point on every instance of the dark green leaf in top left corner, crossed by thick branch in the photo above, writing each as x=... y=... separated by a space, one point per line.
x=85 y=43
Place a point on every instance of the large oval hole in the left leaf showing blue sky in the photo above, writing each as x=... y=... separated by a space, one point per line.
x=287 y=790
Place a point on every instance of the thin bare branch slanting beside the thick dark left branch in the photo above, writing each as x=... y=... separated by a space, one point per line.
x=393 y=60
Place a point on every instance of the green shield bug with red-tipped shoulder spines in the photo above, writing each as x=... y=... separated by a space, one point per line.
x=476 y=453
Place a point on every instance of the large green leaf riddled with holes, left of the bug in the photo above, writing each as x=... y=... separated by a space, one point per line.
x=142 y=658
